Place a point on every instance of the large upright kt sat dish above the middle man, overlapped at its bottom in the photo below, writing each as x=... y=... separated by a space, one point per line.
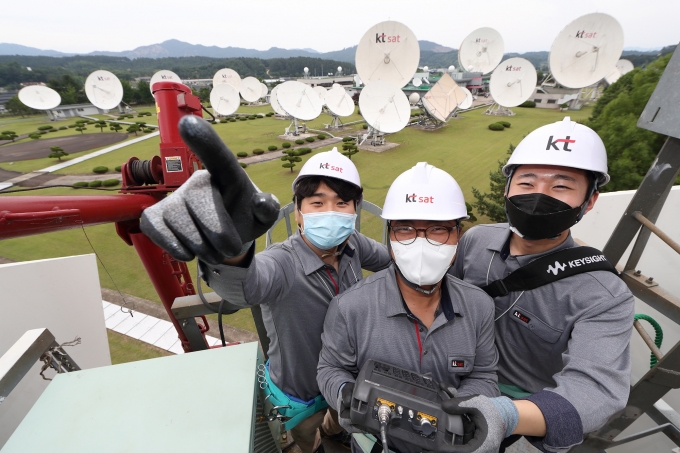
x=388 y=51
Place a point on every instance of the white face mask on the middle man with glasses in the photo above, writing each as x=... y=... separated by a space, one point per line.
x=422 y=263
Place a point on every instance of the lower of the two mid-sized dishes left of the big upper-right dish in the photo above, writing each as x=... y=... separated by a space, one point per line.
x=513 y=82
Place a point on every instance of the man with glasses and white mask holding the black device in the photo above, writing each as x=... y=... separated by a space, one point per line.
x=413 y=315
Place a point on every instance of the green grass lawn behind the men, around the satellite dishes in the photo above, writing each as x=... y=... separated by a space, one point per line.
x=466 y=148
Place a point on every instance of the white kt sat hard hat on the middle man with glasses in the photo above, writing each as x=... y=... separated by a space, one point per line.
x=424 y=192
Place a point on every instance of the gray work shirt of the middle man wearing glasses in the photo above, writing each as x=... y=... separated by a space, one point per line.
x=371 y=321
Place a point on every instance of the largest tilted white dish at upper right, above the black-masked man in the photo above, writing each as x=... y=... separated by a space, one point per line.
x=586 y=50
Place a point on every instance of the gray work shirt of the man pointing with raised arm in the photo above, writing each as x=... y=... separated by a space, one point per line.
x=294 y=288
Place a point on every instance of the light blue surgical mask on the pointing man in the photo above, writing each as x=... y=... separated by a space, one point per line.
x=329 y=229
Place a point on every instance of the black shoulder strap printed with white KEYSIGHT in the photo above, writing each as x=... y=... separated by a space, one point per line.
x=550 y=268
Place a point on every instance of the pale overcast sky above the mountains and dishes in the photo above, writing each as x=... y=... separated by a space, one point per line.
x=82 y=26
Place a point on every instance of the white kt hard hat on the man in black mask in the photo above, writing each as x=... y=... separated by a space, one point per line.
x=564 y=143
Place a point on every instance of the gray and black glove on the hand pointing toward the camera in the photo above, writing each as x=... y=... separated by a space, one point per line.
x=217 y=213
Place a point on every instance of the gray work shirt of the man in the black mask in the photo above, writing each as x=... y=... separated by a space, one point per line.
x=566 y=342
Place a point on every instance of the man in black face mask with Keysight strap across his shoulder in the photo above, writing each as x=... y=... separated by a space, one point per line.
x=563 y=342
